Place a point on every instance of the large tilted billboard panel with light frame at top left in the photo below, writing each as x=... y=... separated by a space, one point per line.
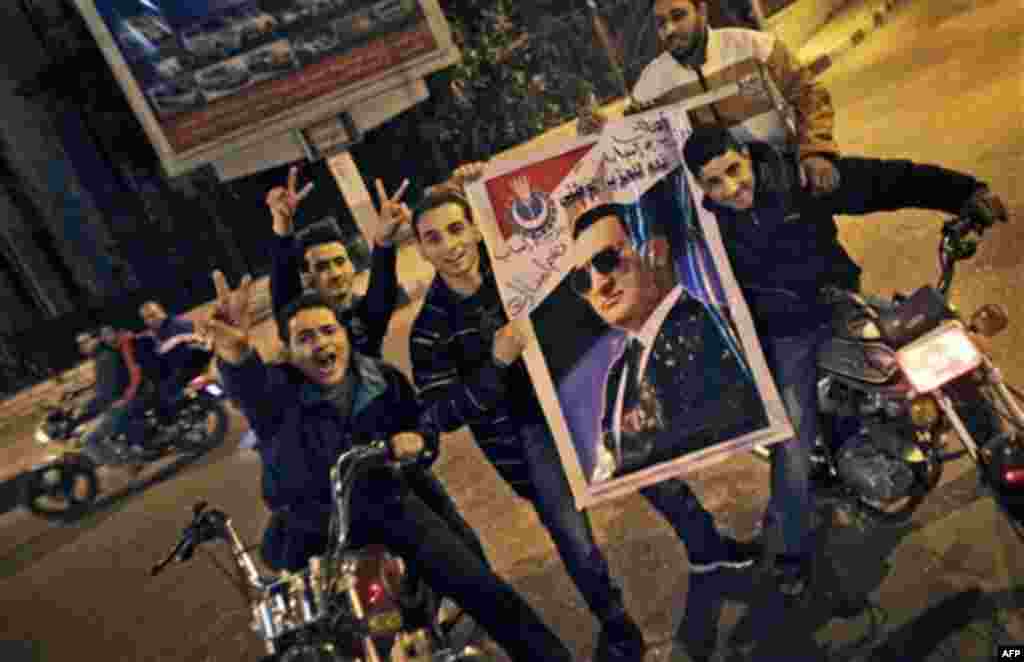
x=207 y=78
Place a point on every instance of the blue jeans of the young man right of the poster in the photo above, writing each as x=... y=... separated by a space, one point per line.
x=794 y=365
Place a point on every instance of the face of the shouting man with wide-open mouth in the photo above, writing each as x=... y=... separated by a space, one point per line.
x=319 y=346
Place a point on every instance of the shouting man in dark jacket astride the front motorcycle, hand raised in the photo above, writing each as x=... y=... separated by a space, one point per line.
x=324 y=401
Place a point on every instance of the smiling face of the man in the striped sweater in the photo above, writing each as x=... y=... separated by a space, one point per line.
x=450 y=241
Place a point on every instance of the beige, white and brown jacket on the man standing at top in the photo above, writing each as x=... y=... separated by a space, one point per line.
x=754 y=85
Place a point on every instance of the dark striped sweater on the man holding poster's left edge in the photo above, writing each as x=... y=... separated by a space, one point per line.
x=460 y=384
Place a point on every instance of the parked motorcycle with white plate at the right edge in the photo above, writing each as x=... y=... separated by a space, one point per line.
x=903 y=381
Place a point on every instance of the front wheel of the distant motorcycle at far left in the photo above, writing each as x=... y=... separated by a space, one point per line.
x=61 y=491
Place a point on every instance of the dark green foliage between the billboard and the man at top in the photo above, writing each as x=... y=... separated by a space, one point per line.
x=523 y=72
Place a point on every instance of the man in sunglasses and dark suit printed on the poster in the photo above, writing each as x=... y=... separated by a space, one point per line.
x=679 y=387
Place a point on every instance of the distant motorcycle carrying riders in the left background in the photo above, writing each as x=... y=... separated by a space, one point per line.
x=66 y=485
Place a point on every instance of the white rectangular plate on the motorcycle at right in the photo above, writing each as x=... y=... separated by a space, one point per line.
x=940 y=357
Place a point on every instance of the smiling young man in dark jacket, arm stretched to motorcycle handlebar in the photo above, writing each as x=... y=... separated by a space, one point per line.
x=784 y=247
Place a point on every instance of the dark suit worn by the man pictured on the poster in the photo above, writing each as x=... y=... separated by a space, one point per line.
x=689 y=391
